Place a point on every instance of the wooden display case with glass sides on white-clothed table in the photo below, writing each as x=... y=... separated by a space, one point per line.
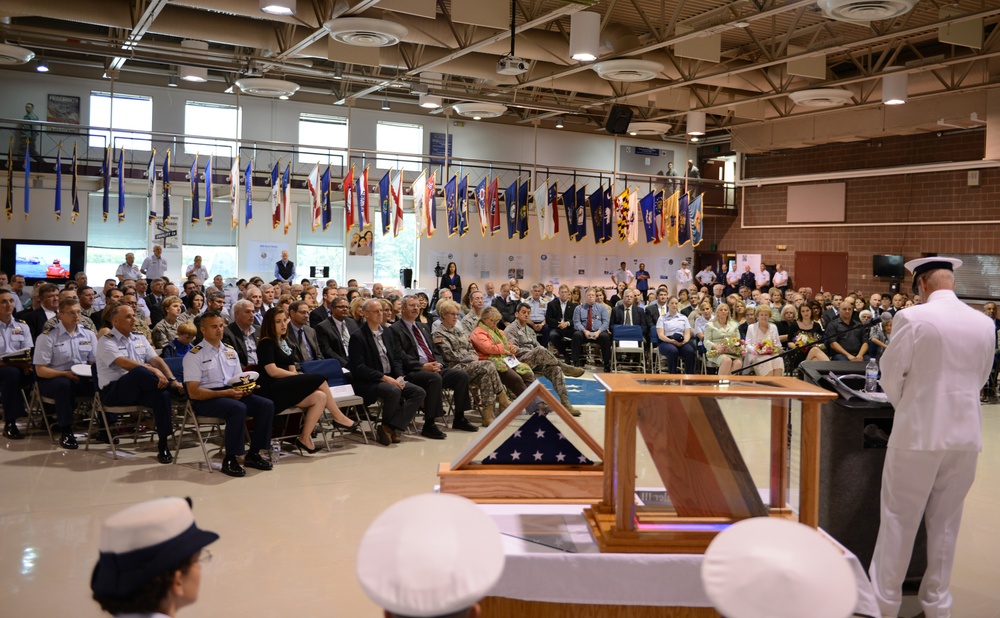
x=694 y=452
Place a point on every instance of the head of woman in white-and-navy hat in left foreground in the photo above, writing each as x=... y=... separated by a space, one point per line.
x=151 y=557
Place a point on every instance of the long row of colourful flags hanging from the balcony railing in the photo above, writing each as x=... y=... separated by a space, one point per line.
x=676 y=219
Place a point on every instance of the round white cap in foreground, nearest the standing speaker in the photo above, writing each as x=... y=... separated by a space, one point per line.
x=767 y=567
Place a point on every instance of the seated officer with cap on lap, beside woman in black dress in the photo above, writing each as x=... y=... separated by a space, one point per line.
x=207 y=369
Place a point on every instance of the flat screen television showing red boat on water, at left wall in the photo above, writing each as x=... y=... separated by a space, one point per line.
x=42 y=260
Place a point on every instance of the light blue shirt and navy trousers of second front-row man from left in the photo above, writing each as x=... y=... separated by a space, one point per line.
x=60 y=350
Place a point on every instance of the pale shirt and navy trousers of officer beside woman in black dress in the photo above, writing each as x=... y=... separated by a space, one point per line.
x=212 y=367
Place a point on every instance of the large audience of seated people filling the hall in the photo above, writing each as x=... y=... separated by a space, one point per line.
x=495 y=342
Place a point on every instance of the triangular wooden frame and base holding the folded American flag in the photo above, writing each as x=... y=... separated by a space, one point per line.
x=573 y=484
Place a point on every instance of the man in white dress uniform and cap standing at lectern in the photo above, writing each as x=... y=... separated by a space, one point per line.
x=940 y=356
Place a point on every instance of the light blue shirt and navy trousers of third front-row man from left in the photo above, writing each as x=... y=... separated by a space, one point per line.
x=136 y=387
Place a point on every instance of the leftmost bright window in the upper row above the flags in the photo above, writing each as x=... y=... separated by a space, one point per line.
x=123 y=113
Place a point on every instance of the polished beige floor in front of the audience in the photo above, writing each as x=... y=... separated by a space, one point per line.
x=289 y=536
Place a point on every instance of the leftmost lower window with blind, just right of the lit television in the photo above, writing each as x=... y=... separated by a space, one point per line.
x=109 y=241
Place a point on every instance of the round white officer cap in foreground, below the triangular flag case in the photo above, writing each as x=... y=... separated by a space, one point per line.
x=430 y=555
